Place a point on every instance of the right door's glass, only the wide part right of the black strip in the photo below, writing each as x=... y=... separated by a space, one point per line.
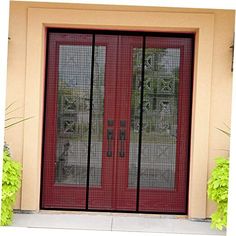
x=160 y=106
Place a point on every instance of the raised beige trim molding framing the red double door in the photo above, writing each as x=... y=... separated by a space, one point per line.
x=200 y=23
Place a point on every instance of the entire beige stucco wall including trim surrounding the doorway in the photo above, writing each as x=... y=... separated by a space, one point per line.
x=212 y=81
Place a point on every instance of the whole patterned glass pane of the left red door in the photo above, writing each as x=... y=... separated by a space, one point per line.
x=73 y=108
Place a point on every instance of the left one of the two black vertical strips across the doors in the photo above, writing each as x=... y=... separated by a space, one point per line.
x=90 y=120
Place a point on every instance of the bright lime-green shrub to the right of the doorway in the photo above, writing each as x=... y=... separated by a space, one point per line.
x=218 y=192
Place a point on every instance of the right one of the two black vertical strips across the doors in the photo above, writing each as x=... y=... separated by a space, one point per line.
x=140 y=124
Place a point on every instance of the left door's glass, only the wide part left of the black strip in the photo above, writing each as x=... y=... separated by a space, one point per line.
x=73 y=103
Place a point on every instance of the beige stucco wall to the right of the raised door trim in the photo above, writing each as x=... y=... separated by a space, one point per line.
x=221 y=91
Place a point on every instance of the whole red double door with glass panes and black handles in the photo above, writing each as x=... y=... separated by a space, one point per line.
x=117 y=121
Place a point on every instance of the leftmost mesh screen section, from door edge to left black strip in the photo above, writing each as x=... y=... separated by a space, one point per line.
x=66 y=120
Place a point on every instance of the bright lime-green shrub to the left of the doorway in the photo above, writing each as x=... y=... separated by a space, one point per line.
x=11 y=181
